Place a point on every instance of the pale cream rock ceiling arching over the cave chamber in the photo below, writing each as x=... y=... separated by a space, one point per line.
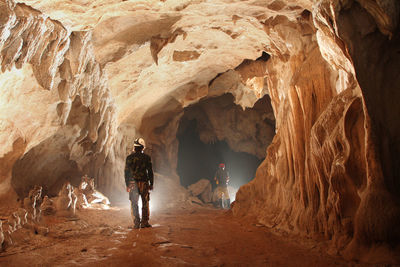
x=154 y=50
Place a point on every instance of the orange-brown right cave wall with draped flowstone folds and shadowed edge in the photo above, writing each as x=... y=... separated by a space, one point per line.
x=329 y=171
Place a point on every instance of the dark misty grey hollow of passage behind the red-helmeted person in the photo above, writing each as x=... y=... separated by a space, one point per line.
x=197 y=160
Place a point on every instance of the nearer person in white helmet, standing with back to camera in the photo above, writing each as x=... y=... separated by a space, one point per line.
x=139 y=181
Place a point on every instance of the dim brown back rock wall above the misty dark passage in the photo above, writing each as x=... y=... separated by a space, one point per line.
x=250 y=130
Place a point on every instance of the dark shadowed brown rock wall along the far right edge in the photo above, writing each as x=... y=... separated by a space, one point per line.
x=375 y=54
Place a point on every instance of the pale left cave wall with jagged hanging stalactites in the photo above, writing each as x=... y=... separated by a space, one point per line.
x=57 y=114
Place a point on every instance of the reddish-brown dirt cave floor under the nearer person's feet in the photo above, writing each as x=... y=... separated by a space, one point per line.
x=195 y=236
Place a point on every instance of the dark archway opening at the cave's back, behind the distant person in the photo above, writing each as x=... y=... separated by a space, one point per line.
x=216 y=130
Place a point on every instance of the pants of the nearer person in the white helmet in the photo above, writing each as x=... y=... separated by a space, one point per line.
x=139 y=188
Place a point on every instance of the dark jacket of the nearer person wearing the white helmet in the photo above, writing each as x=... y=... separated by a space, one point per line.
x=138 y=167
